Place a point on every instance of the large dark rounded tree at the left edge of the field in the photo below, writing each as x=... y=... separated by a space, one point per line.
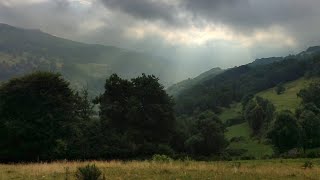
x=37 y=115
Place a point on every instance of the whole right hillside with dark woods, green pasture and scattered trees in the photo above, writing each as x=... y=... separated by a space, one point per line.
x=251 y=99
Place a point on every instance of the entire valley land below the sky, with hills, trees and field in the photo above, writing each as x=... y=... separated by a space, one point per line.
x=243 y=114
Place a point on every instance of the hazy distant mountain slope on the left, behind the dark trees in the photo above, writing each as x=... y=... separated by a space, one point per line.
x=23 y=50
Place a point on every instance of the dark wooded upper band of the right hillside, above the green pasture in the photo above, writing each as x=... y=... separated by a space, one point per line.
x=236 y=83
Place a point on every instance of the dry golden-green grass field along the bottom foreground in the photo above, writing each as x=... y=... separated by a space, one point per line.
x=258 y=169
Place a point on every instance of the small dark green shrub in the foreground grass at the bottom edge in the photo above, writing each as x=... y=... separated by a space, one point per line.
x=89 y=172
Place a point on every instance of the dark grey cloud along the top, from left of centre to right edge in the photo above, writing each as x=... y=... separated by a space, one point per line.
x=243 y=15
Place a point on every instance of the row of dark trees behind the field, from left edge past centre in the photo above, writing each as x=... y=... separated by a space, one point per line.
x=43 y=119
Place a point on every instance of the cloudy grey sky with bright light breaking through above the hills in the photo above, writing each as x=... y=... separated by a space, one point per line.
x=196 y=34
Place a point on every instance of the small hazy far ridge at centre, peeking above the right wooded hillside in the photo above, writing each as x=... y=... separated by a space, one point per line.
x=175 y=89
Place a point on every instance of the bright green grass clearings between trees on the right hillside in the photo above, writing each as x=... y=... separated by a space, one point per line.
x=287 y=100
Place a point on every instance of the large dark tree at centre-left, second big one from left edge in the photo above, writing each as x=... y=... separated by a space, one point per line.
x=138 y=113
